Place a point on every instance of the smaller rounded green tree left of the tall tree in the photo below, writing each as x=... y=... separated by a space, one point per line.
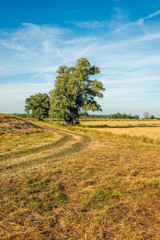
x=39 y=105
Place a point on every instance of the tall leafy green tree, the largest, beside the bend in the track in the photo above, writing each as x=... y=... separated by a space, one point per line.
x=74 y=91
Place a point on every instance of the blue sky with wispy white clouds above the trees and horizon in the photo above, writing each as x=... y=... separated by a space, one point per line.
x=122 y=37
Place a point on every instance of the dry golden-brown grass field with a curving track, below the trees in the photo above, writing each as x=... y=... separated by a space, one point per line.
x=99 y=180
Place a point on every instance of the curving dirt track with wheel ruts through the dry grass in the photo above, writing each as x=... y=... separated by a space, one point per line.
x=69 y=143
